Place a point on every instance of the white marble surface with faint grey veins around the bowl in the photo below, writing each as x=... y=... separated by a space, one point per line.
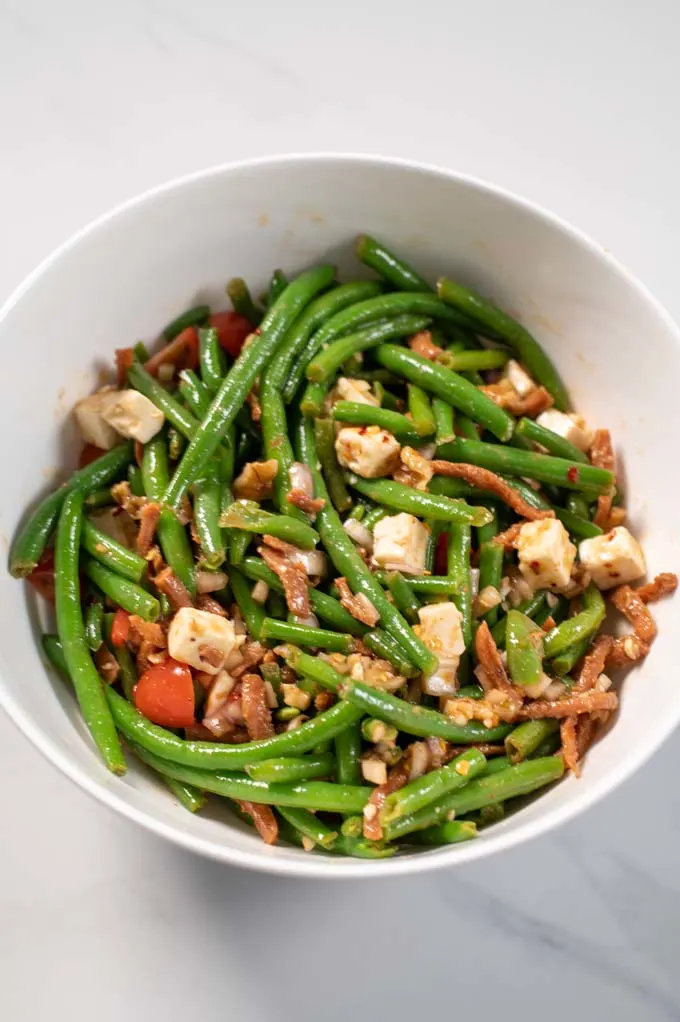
x=575 y=106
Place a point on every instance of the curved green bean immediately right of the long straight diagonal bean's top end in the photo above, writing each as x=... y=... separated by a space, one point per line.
x=298 y=349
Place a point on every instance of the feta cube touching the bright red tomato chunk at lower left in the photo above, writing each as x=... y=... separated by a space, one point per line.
x=202 y=640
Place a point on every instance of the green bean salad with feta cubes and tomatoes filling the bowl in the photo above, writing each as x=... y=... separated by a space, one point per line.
x=341 y=556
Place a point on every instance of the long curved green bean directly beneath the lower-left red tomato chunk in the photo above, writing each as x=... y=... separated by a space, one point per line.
x=211 y=756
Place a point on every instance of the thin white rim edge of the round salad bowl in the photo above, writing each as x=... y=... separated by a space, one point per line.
x=309 y=866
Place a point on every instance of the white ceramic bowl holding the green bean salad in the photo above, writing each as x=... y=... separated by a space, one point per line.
x=130 y=272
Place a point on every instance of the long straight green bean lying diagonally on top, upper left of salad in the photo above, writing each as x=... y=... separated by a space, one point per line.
x=240 y=380
